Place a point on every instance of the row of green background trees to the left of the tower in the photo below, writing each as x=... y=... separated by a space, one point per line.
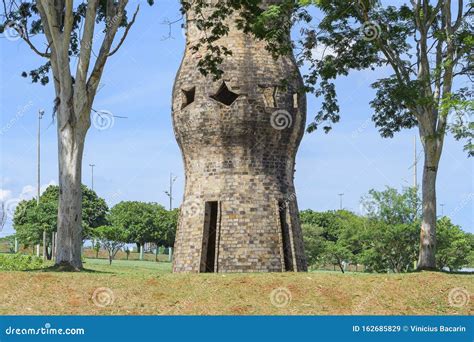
x=126 y=222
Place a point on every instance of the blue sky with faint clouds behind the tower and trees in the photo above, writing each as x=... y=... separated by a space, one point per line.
x=134 y=156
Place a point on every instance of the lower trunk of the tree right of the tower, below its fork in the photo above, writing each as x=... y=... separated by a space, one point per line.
x=426 y=260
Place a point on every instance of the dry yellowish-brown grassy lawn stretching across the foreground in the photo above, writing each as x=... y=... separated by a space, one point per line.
x=145 y=287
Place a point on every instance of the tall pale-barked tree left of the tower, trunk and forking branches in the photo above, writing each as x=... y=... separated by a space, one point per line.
x=69 y=36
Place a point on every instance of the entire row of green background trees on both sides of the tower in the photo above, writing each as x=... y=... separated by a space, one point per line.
x=384 y=239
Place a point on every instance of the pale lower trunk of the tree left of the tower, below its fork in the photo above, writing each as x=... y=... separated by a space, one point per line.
x=69 y=235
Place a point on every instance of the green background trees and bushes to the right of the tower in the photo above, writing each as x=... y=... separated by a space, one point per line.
x=385 y=239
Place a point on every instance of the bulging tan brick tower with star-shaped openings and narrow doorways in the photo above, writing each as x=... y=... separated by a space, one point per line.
x=239 y=137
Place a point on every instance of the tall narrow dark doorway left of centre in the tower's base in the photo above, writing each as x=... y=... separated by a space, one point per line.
x=208 y=256
